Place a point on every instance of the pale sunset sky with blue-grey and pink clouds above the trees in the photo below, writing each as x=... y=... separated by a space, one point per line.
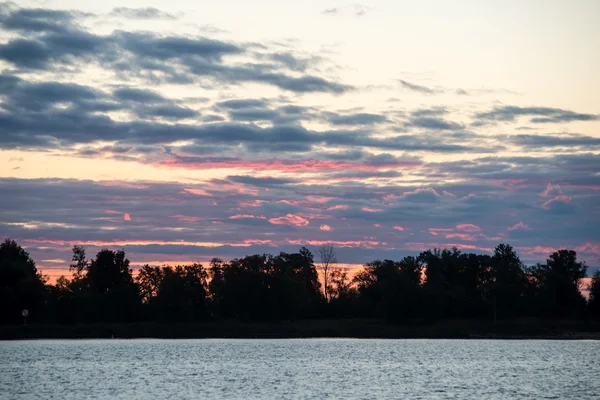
x=183 y=130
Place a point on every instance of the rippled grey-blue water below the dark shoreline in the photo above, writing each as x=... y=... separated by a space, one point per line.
x=303 y=368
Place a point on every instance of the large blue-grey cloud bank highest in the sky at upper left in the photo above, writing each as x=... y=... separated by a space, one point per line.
x=52 y=40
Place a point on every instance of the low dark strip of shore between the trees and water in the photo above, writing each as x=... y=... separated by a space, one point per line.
x=351 y=328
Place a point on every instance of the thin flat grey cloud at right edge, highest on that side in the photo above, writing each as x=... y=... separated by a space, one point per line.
x=540 y=114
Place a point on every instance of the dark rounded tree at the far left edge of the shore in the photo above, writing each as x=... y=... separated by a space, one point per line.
x=21 y=285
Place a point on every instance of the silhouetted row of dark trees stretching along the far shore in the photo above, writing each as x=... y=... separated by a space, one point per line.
x=436 y=284
